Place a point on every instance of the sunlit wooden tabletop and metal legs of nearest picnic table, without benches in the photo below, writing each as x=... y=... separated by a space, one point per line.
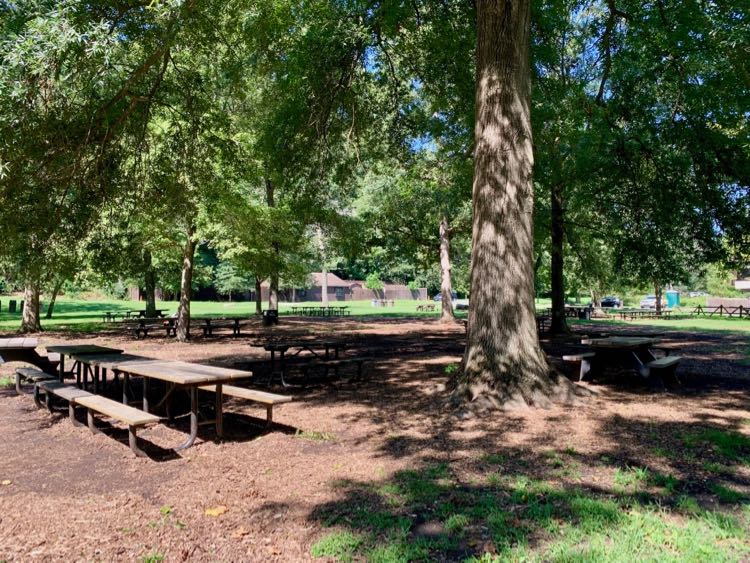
x=177 y=375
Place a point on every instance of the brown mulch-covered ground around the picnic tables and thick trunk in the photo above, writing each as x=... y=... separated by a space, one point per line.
x=70 y=495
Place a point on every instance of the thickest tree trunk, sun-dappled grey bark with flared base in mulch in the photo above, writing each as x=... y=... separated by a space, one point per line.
x=503 y=365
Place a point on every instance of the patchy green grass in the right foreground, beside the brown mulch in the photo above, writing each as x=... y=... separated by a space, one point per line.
x=530 y=519
